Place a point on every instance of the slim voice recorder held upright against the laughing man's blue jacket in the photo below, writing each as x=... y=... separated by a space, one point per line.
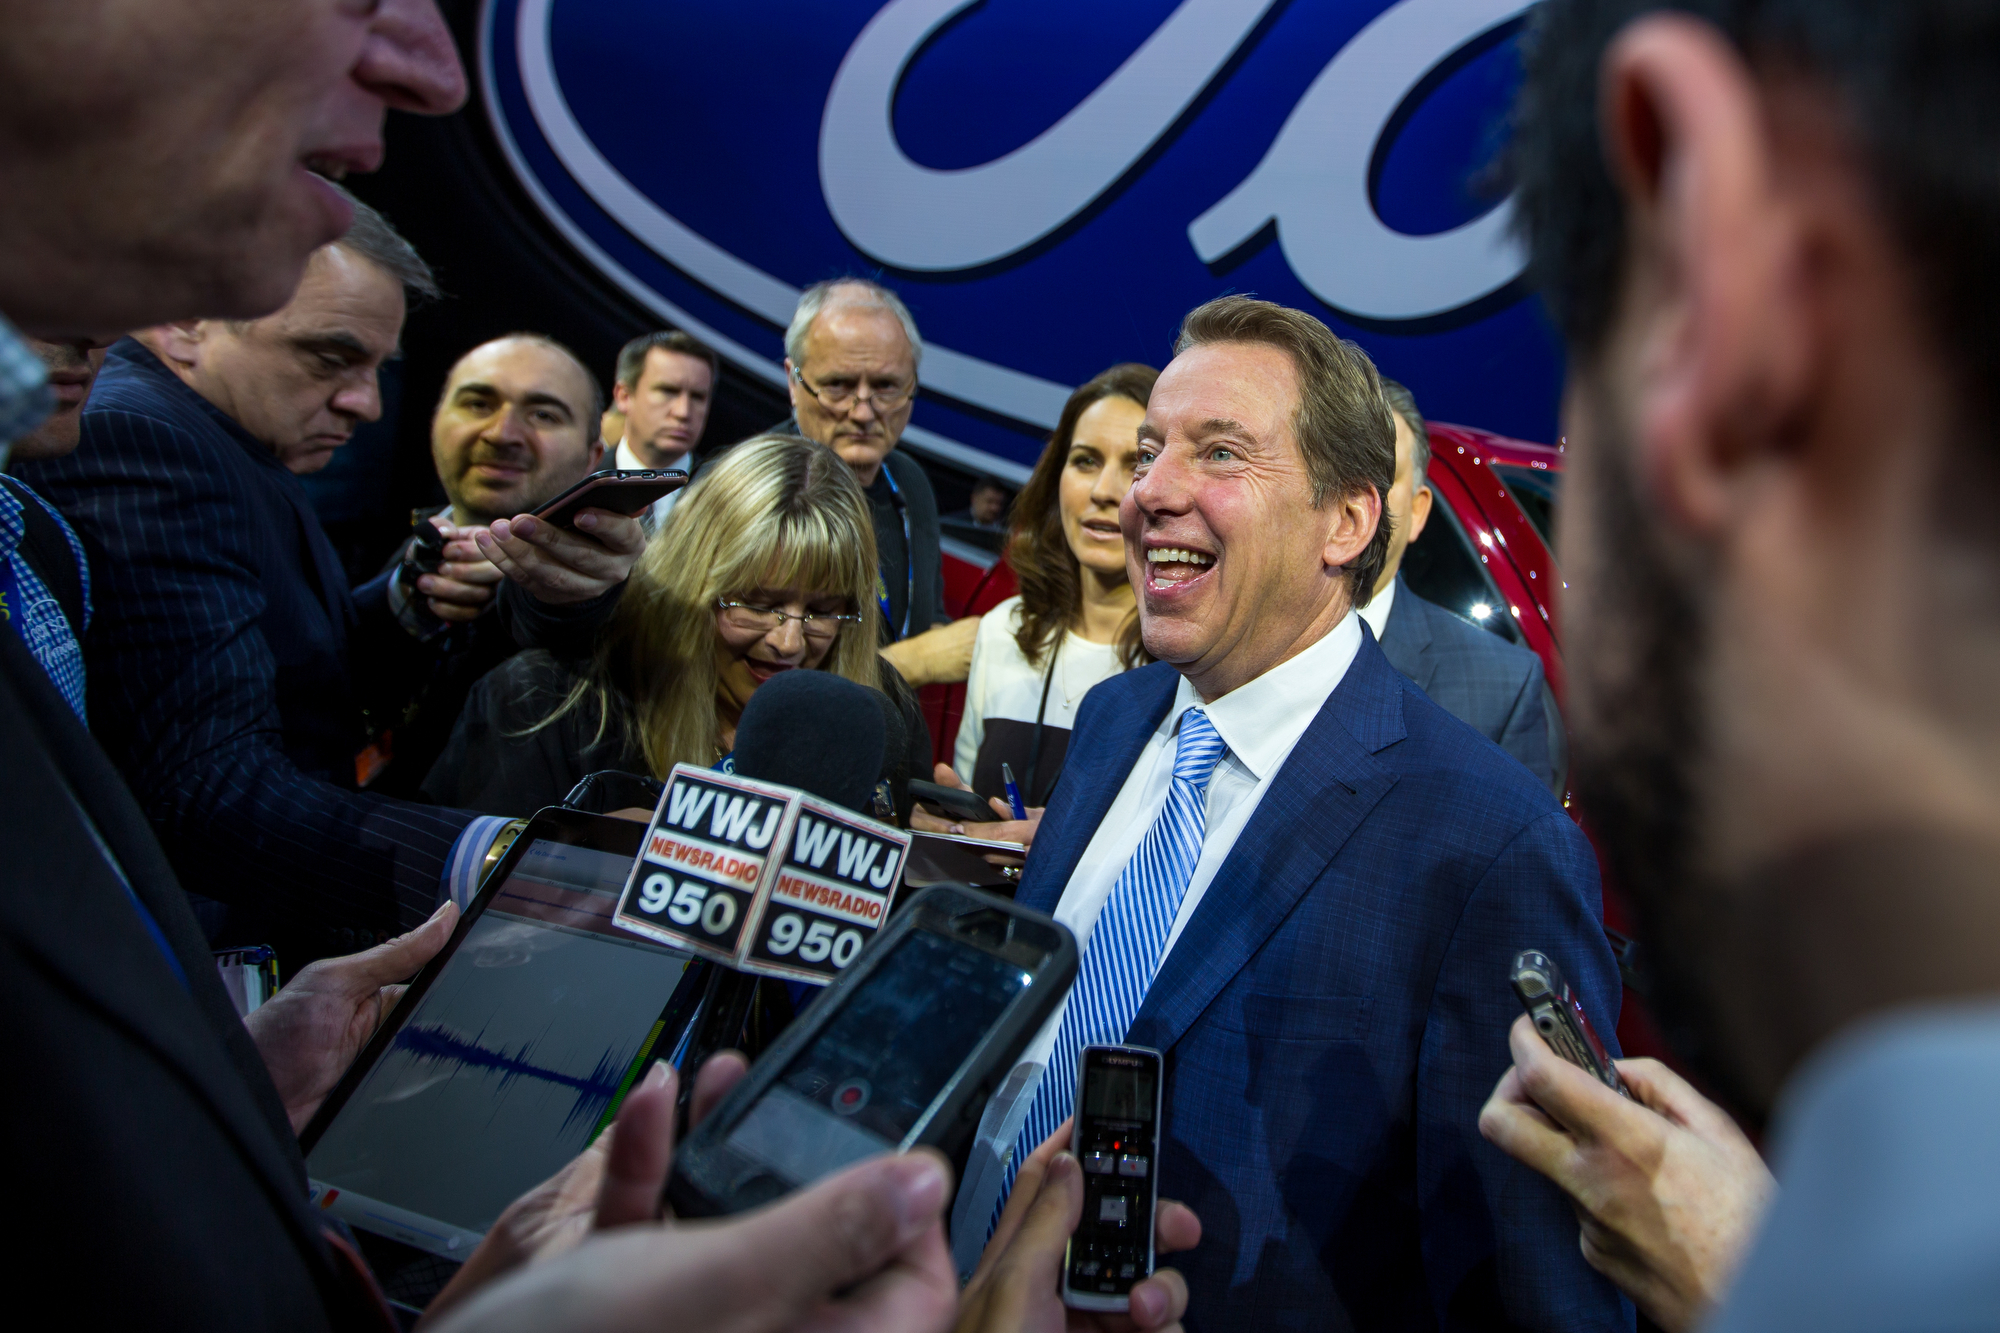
x=1117 y=1140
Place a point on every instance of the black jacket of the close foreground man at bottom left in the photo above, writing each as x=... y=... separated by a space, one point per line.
x=145 y=1138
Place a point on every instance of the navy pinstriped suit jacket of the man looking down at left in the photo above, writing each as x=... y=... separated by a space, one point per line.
x=219 y=663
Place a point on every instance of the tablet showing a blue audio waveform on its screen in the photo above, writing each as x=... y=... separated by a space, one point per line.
x=509 y=1052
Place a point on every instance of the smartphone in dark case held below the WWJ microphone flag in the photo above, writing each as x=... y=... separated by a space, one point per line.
x=903 y=1052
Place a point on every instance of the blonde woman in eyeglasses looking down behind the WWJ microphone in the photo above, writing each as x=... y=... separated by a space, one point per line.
x=769 y=565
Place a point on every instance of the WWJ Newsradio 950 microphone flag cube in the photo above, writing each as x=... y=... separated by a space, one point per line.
x=761 y=878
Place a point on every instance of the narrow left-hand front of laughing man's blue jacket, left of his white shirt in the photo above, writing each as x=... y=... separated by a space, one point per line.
x=1103 y=752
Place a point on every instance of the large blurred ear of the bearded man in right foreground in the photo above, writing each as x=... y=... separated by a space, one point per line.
x=1713 y=329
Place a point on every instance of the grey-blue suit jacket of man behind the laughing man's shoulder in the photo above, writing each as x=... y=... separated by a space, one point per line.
x=1485 y=682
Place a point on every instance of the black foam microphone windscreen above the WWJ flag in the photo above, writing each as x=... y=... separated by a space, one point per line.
x=815 y=732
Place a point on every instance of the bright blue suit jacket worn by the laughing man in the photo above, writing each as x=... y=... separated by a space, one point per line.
x=1337 y=1012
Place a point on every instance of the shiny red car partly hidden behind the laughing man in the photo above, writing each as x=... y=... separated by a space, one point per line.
x=1485 y=555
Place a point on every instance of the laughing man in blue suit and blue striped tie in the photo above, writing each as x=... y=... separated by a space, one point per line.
x=1305 y=882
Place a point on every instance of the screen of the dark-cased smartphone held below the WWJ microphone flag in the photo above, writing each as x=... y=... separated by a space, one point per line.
x=873 y=1072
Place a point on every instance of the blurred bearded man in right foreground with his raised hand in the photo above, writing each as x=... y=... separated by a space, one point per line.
x=1773 y=243
